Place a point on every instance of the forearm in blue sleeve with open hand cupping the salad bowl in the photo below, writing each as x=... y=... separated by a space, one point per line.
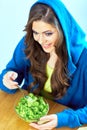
x=66 y=118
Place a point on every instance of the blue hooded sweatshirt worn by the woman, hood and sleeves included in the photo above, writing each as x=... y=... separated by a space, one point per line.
x=76 y=96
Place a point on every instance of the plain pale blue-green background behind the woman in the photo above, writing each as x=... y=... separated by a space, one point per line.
x=13 y=18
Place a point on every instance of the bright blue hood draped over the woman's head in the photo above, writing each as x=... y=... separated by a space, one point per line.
x=74 y=35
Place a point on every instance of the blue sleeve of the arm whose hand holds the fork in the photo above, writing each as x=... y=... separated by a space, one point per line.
x=17 y=64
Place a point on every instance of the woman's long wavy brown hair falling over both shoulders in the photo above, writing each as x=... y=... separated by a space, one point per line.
x=38 y=58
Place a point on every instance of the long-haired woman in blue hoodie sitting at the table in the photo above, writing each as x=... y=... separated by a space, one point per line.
x=51 y=60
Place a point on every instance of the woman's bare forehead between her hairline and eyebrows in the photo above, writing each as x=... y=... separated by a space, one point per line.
x=41 y=26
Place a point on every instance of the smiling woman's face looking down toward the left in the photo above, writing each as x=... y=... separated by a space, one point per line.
x=46 y=35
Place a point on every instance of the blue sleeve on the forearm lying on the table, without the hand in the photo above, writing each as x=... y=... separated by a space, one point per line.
x=72 y=118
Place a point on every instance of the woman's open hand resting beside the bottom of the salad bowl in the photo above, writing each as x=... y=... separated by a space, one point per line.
x=49 y=125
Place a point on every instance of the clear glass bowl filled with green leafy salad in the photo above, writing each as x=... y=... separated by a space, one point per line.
x=31 y=108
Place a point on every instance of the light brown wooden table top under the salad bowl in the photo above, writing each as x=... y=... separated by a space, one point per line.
x=10 y=121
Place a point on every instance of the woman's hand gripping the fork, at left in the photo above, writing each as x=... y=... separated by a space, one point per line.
x=8 y=80
